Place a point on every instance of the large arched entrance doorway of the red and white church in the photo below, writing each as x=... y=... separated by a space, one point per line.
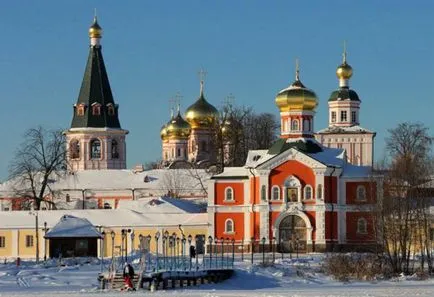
x=292 y=234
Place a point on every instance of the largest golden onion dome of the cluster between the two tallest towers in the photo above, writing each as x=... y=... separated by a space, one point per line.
x=201 y=114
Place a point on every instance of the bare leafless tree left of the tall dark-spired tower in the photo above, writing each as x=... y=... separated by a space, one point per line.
x=38 y=160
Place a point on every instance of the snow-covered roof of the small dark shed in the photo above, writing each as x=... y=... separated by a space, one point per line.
x=71 y=226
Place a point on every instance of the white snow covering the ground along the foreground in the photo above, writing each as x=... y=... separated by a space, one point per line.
x=288 y=277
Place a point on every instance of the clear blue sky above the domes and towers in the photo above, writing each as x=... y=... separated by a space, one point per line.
x=154 y=49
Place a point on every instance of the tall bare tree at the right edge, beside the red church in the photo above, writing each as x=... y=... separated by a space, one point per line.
x=404 y=218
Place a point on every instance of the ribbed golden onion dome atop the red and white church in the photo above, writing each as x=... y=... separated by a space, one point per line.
x=296 y=97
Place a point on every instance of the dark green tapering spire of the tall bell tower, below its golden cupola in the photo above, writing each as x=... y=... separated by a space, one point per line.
x=95 y=91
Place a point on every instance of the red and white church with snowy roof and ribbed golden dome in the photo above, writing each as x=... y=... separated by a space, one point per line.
x=298 y=194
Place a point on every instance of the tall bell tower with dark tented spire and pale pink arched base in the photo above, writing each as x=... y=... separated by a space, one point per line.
x=95 y=139
